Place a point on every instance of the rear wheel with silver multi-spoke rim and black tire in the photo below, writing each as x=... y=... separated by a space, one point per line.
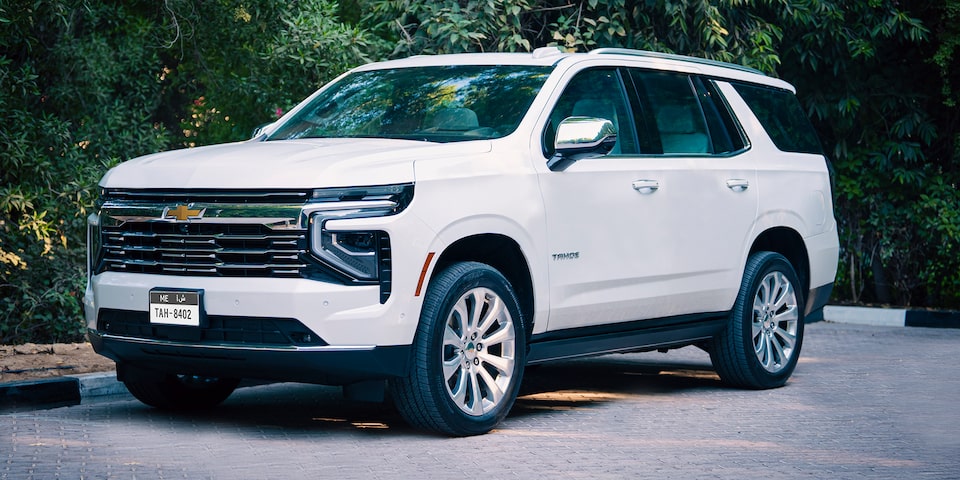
x=761 y=343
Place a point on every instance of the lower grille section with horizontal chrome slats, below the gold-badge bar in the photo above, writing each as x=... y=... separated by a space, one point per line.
x=203 y=249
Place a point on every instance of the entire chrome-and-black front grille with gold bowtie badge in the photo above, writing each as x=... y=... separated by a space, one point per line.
x=232 y=233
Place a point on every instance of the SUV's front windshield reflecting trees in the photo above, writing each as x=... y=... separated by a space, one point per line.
x=439 y=104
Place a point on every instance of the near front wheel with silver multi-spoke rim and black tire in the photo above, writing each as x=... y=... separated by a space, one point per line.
x=468 y=356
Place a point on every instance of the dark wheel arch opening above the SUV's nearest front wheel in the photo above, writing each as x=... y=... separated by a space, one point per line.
x=502 y=253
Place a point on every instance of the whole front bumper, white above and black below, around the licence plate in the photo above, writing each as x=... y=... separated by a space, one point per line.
x=271 y=329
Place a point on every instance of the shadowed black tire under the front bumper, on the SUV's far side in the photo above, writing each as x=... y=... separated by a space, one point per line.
x=178 y=392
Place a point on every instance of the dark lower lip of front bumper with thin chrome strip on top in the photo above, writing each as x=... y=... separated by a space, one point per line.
x=328 y=365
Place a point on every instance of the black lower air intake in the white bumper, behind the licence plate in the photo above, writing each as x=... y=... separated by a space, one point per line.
x=219 y=330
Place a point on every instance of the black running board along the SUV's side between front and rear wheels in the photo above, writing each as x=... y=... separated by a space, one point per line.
x=638 y=336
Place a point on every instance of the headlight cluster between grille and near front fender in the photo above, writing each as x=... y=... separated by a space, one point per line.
x=360 y=255
